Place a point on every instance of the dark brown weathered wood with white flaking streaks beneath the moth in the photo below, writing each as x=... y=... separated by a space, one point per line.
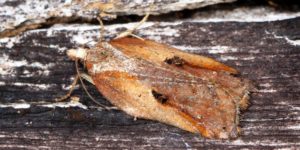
x=34 y=70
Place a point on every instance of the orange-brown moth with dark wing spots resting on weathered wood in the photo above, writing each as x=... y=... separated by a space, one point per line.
x=154 y=81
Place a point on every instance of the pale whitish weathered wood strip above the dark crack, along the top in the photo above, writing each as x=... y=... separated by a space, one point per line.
x=18 y=15
